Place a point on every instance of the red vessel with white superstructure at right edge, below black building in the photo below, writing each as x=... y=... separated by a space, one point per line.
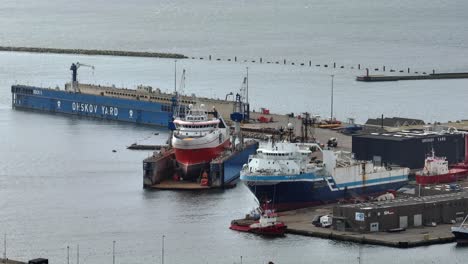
x=436 y=171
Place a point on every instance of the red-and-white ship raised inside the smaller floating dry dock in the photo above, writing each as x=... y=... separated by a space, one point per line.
x=197 y=140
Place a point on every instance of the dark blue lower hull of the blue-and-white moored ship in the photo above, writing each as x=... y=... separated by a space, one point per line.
x=290 y=195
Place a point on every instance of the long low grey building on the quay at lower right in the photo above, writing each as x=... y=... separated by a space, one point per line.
x=401 y=213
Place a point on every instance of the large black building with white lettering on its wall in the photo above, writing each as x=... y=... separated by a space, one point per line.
x=409 y=148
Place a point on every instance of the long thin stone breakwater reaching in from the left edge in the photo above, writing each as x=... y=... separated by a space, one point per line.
x=95 y=52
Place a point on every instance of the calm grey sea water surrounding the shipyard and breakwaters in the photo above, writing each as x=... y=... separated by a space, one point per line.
x=61 y=184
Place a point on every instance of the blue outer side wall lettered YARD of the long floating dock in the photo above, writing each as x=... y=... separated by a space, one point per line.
x=102 y=107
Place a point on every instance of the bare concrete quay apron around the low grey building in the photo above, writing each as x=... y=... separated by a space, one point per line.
x=299 y=222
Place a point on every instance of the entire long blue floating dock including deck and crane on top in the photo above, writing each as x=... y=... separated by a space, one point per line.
x=143 y=105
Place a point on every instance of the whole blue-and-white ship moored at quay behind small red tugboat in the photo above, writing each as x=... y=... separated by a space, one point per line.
x=282 y=174
